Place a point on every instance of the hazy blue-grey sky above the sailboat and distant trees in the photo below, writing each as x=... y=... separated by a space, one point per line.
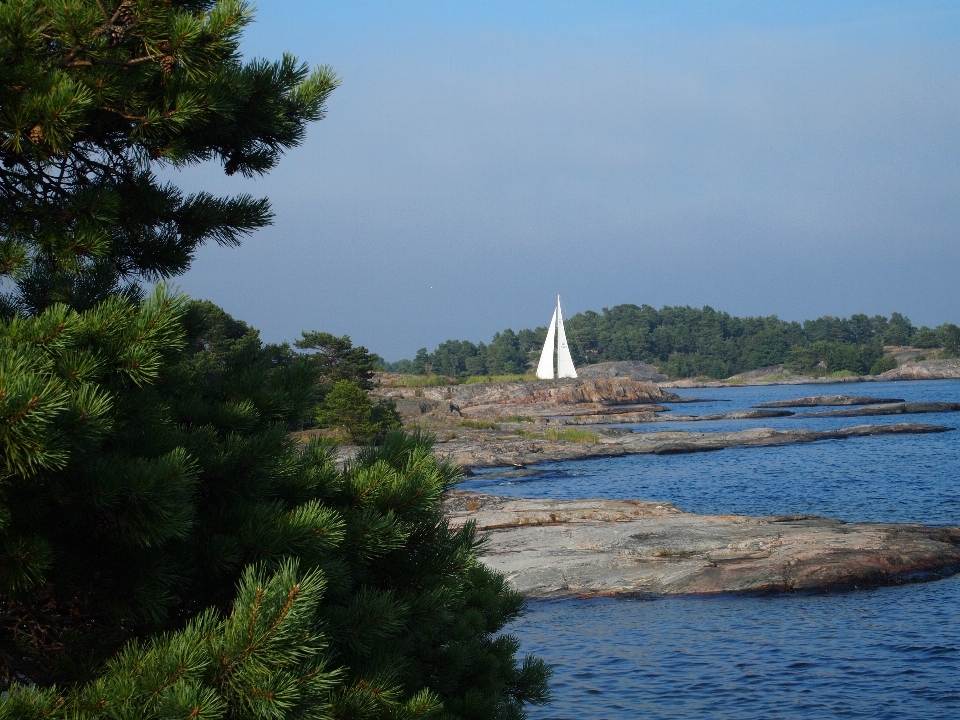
x=480 y=157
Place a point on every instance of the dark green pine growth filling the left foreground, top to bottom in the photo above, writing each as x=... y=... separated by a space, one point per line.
x=166 y=549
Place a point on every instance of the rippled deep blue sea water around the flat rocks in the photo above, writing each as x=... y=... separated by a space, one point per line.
x=891 y=652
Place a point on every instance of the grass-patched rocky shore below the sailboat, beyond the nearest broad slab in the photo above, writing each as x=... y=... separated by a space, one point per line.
x=520 y=423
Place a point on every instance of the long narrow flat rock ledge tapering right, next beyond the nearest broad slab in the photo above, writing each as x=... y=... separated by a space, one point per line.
x=501 y=451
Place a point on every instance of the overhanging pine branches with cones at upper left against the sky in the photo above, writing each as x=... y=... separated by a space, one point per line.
x=96 y=92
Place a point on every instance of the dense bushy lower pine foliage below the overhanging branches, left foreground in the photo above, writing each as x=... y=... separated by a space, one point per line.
x=166 y=482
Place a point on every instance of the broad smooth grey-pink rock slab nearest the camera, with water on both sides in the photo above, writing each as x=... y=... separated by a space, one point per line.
x=587 y=548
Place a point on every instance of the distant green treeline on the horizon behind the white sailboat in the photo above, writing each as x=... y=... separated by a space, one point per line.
x=689 y=342
